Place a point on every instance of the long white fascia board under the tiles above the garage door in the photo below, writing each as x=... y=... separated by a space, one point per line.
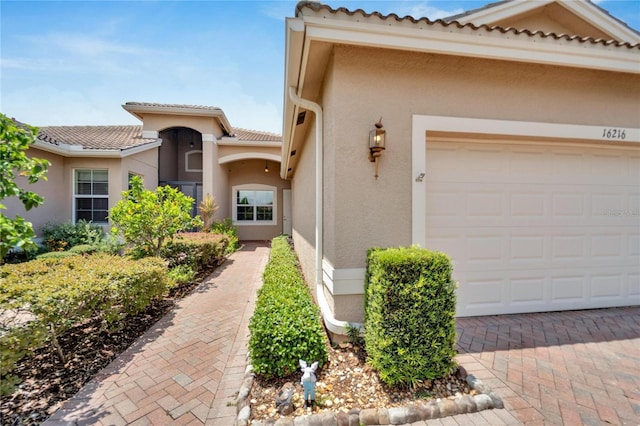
x=479 y=44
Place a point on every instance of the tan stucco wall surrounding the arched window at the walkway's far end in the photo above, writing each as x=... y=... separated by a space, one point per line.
x=252 y=172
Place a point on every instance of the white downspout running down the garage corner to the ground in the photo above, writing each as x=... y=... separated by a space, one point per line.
x=332 y=324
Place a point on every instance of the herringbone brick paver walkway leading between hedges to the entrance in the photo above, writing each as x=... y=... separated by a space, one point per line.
x=187 y=367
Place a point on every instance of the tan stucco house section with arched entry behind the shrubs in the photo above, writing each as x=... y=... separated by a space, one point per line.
x=193 y=148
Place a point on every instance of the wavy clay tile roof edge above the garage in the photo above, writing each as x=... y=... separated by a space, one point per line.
x=453 y=24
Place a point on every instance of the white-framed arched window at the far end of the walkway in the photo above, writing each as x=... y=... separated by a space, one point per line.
x=255 y=204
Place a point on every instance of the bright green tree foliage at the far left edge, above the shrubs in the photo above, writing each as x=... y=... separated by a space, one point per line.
x=15 y=139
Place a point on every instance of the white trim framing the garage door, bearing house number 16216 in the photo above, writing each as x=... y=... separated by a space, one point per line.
x=423 y=124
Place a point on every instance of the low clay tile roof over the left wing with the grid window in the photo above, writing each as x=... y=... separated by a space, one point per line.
x=95 y=137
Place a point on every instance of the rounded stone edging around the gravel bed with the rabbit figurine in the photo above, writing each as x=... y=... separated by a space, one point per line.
x=485 y=399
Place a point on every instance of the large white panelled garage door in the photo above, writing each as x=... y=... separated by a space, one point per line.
x=534 y=227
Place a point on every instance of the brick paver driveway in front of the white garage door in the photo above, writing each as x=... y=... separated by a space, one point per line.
x=572 y=368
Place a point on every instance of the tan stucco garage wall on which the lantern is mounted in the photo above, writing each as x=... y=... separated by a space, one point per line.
x=362 y=212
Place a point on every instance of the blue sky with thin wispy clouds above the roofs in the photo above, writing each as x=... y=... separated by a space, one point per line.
x=77 y=62
